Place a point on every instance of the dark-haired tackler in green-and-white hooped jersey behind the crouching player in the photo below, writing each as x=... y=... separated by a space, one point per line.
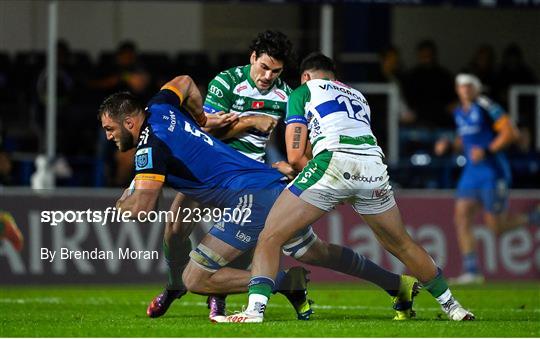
x=243 y=105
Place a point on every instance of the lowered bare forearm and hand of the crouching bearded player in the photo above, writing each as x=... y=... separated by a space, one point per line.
x=143 y=198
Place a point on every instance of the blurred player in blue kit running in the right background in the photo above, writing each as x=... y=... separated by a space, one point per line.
x=484 y=131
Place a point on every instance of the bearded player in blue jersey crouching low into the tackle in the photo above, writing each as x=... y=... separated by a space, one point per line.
x=172 y=149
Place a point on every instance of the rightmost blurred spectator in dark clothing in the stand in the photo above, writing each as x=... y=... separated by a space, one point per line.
x=513 y=70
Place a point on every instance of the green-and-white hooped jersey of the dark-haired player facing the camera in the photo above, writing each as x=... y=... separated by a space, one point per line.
x=233 y=90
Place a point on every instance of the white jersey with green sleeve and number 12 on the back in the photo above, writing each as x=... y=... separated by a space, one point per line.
x=337 y=116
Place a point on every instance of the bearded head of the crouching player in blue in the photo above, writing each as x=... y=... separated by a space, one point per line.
x=121 y=116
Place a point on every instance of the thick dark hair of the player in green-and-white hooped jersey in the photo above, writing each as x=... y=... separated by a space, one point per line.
x=275 y=44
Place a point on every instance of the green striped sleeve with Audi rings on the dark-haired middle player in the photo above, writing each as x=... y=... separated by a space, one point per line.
x=220 y=94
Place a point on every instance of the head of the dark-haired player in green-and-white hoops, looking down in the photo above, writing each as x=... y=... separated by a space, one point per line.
x=270 y=52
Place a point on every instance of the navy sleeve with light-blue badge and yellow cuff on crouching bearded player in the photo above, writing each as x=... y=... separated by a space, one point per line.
x=150 y=160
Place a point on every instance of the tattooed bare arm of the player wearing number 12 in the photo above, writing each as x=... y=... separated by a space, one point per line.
x=296 y=142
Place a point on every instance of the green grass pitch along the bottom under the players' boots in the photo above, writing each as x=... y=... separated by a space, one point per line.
x=346 y=310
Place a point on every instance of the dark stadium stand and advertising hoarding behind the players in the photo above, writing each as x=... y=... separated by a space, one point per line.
x=403 y=55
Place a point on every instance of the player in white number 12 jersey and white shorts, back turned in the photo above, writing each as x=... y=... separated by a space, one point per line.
x=347 y=167
